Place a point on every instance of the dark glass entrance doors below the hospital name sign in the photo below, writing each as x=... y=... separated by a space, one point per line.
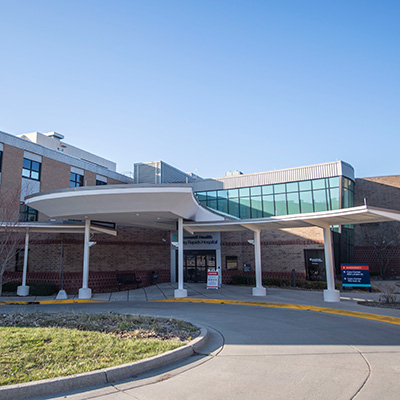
x=196 y=263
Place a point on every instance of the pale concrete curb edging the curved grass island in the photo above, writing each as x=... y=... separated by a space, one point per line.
x=104 y=376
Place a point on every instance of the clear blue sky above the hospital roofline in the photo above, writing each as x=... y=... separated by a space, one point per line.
x=208 y=85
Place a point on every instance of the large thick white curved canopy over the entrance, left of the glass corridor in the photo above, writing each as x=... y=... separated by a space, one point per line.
x=148 y=206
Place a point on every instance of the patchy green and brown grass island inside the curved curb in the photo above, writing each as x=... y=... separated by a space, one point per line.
x=40 y=346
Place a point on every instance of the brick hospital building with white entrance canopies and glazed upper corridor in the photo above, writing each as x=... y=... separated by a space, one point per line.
x=83 y=223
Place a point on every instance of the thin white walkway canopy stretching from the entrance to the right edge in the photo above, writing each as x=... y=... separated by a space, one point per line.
x=346 y=216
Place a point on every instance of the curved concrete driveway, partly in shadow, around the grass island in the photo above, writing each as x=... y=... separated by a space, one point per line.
x=261 y=353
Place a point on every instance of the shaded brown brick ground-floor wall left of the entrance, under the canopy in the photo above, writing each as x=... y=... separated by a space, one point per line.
x=132 y=250
